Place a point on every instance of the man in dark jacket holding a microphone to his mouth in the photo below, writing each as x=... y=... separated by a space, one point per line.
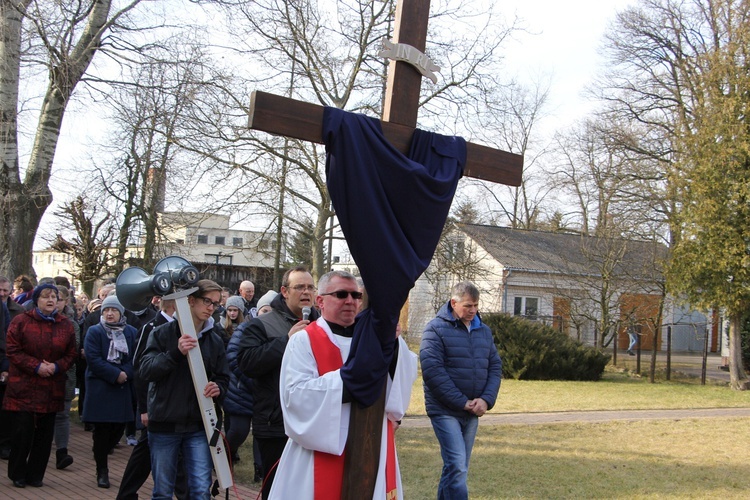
x=261 y=347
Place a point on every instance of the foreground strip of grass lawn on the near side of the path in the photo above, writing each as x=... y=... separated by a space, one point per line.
x=646 y=459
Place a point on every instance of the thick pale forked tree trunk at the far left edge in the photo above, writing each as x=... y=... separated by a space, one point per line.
x=24 y=204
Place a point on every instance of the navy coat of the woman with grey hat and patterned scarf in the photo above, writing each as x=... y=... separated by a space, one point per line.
x=106 y=400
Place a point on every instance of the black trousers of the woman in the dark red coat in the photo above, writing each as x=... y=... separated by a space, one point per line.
x=31 y=444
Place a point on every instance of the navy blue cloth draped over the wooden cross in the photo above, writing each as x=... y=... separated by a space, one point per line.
x=392 y=209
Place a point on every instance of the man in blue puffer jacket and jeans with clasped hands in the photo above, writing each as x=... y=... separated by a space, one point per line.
x=461 y=371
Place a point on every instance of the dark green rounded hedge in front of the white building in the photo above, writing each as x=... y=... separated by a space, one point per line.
x=533 y=351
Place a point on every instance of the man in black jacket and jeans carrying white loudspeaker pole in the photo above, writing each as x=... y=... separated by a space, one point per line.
x=175 y=421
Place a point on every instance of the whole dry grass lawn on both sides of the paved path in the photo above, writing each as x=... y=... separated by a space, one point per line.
x=701 y=458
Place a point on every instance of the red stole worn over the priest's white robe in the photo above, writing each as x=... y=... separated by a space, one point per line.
x=329 y=468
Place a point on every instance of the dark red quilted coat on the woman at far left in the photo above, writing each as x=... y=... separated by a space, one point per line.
x=32 y=339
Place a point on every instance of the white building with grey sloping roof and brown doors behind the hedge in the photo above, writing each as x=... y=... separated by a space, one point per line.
x=559 y=279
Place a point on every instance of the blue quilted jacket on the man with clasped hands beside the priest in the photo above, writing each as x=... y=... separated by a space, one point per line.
x=458 y=364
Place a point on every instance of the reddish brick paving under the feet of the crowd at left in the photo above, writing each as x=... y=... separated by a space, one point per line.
x=78 y=481
